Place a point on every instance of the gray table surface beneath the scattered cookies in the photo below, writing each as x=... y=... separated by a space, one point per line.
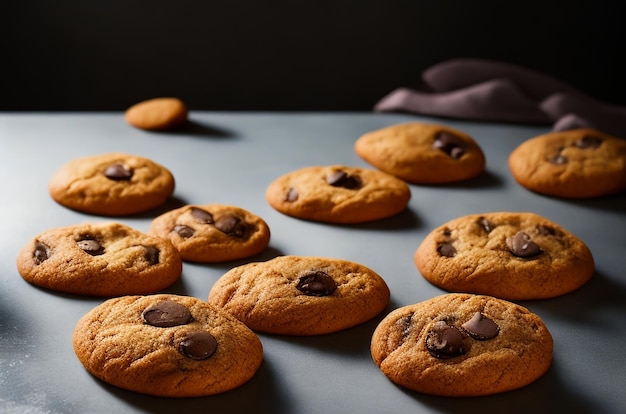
x=230 y=158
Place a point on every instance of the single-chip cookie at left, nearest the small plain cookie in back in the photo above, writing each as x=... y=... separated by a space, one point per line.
x=112 y=184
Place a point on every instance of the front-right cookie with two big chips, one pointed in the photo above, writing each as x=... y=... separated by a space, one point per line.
x=462 y=345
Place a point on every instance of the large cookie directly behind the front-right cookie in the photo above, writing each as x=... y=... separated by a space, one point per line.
x=510 y=255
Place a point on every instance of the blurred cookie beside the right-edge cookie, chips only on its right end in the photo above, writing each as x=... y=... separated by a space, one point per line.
x=422 y=153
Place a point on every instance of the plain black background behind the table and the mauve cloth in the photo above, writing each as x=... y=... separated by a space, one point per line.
x=289 y=55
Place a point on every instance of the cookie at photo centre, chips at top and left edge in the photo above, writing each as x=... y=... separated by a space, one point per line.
x=338 y=194
